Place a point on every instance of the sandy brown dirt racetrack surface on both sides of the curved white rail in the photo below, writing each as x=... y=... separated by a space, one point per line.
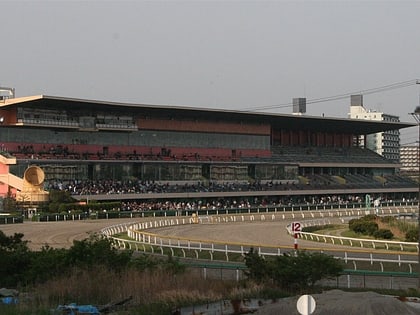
x=62 y=234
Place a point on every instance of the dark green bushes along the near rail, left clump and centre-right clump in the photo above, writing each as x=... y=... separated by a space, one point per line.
x=24 y=267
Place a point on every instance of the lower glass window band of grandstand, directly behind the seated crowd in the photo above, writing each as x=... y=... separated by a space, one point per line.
x=162 y=172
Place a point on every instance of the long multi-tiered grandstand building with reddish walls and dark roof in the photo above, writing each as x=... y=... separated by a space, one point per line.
x=78 y=140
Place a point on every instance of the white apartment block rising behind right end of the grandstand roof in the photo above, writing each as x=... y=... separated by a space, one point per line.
x=385 y=143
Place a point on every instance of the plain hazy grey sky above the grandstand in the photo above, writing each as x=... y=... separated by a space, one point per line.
x=240 y=55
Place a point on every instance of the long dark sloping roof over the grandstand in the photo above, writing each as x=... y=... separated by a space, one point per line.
x=286 y=121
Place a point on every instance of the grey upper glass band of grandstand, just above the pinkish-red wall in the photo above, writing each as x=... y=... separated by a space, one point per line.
x=135 y=138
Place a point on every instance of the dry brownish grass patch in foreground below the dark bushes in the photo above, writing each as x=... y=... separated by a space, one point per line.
x=153 y=292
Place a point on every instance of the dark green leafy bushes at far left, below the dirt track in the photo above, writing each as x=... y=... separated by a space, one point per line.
x=19 y=265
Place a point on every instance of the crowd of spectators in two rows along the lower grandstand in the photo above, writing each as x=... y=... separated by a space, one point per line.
x=109 y=187
